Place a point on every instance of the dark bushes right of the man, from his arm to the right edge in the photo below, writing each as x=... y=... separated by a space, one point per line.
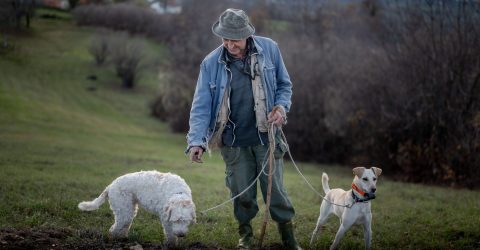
x=404 y=97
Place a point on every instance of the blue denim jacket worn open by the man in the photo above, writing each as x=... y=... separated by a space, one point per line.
x=214 y=77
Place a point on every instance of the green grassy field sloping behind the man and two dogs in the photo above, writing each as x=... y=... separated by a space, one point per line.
x=63 y=138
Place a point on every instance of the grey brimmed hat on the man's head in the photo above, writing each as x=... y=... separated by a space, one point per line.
x=233 y=24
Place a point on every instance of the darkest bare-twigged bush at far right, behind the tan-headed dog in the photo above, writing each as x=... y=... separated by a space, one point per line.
x=420 y=123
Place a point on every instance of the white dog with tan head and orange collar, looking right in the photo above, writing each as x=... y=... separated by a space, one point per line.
x=352 y=206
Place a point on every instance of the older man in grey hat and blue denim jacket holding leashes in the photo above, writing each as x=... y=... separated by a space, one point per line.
x=239 y=82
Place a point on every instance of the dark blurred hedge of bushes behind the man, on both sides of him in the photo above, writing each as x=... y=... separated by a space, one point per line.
x=389 y=83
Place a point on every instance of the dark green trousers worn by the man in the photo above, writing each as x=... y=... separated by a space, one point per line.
x=243 y=164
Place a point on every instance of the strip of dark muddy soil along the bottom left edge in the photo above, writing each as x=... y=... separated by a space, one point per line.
x=70 y=239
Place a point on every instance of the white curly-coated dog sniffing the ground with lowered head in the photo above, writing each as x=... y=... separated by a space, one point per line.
x=164 y=194
